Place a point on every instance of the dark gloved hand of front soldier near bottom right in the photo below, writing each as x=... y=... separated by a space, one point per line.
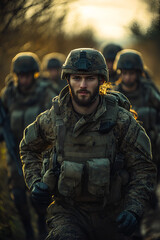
x=127 y=222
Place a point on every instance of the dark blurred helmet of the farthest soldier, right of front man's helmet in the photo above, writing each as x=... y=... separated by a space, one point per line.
x=110 y=51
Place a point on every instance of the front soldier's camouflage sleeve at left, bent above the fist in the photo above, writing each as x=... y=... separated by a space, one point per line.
x=38 y=137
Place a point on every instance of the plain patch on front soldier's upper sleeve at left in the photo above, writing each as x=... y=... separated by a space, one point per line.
x=30 y=133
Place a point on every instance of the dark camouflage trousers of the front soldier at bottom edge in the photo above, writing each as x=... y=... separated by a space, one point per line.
x=77 y=223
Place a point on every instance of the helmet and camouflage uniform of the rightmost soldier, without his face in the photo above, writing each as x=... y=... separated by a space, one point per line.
x=145 y=100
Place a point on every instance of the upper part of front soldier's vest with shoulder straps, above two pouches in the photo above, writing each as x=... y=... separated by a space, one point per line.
x=92 y=138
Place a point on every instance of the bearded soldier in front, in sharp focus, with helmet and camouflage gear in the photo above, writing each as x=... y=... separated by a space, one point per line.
x=97 y=195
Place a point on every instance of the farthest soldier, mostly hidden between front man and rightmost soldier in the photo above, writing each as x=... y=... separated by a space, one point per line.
x=110 y=51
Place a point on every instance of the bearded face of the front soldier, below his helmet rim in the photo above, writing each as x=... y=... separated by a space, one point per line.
x=84 y=88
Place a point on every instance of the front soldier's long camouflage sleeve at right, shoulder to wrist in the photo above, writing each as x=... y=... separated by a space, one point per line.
x=135 y=145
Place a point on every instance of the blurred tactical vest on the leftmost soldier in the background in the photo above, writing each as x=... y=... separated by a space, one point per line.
x=23 y=110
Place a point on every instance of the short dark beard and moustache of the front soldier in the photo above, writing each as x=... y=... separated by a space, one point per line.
x=83 y=102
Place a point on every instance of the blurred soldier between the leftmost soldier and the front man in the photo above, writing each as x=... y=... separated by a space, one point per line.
x=51 y=67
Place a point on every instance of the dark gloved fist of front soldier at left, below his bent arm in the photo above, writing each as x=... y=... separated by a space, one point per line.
x=40 y=194
